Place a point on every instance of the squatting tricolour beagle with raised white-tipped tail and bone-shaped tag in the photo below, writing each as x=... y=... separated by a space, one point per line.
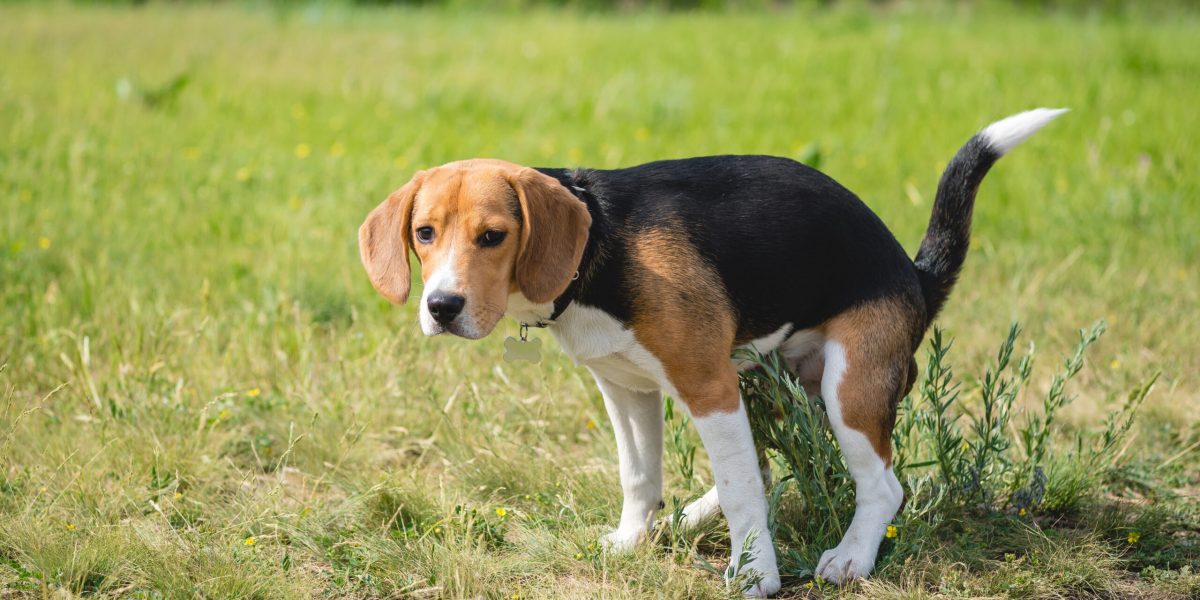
x=652 y=277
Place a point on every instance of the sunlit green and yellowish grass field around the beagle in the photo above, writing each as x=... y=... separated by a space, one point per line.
x=201 y=395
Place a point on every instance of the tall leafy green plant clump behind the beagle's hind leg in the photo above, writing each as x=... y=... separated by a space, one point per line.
x=961 y=455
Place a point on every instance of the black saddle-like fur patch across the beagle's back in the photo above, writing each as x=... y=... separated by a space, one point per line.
x=789 y=244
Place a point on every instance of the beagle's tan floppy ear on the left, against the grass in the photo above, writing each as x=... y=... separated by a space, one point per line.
x=385 y=241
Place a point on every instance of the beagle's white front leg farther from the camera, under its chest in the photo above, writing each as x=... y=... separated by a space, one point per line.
x=638 y=423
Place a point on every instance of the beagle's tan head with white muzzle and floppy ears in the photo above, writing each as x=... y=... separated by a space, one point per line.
x=483 y=230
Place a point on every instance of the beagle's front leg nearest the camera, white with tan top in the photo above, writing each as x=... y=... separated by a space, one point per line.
x=725 y=431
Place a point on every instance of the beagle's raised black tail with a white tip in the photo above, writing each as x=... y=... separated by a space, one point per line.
x=945 y=247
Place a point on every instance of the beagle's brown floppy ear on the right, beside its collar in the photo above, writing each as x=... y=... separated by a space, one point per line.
x=554 y=233
